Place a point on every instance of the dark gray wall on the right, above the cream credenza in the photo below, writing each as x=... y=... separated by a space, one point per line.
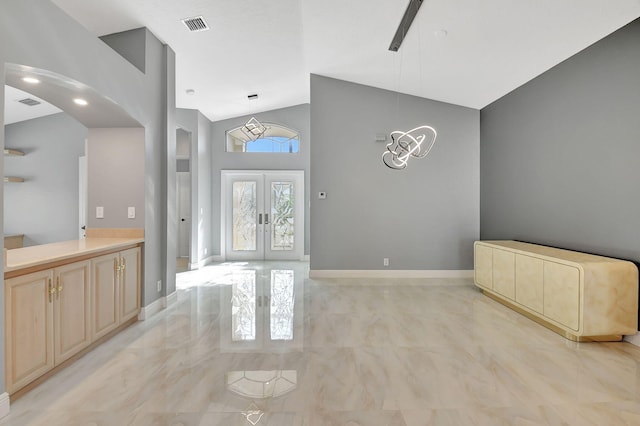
x=559 y=155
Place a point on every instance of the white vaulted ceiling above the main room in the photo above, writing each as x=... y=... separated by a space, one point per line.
x=270 y=48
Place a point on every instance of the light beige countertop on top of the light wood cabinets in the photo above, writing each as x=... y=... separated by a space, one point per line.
x=27 y=257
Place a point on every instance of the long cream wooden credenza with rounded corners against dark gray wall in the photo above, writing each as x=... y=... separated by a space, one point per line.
x=581 y=296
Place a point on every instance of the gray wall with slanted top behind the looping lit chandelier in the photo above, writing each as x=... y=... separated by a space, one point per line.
x=424 y=217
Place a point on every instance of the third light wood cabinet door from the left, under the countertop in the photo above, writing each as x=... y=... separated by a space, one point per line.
x=104 y=294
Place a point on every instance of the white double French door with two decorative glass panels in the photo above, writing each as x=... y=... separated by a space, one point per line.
x=263 y=214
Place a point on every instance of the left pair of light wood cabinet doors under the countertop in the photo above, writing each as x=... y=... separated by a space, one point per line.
x=47 y=321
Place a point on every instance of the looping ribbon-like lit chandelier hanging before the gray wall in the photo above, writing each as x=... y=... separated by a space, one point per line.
x=415 y=143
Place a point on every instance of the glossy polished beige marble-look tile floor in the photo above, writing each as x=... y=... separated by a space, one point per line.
x=261 y=344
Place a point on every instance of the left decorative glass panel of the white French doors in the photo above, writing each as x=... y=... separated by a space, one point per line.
x=244 y=216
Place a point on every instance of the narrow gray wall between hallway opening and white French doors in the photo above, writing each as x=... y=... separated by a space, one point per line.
x=199 y=127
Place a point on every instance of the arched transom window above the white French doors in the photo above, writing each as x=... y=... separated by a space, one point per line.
x=255 y=136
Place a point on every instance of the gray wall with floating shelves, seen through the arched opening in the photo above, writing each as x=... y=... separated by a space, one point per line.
x=45 y=207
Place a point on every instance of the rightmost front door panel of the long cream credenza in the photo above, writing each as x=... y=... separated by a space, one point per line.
x=562 y=294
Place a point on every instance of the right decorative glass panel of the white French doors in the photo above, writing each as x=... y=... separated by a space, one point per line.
x=282 y=215
